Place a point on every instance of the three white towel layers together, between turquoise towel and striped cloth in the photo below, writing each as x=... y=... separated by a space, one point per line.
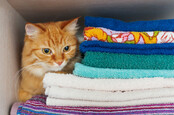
x=71 y=90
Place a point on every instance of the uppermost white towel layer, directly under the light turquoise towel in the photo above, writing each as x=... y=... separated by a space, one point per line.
x=72 y=81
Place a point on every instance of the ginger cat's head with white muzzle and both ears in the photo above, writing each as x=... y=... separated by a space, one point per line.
x=49 y=46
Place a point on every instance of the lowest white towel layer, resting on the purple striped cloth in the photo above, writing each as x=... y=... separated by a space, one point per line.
x=71 y=102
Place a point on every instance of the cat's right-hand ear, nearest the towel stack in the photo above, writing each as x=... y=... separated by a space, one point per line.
x=70 y=26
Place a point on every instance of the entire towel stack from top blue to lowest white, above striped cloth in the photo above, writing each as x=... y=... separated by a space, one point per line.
x=124 y=64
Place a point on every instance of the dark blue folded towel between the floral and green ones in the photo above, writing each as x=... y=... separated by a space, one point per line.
x=145 y=49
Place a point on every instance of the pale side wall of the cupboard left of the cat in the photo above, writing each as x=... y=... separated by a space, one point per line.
x=11 y=37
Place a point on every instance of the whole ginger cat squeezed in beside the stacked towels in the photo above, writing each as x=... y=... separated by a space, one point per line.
x=48 y=47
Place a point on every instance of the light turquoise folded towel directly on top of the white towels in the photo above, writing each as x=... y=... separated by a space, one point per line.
x=93 y=72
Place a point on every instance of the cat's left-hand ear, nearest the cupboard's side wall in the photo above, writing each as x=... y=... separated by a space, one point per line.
x=32 y=29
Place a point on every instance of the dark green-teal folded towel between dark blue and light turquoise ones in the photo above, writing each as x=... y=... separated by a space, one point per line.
x=128 y=61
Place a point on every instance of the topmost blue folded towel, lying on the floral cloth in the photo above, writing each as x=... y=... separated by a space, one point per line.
x=139 y=26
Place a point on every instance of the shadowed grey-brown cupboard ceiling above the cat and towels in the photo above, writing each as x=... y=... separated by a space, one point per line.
x=127 y=10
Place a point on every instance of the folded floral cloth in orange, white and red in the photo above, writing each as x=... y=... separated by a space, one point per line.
x=107 y=35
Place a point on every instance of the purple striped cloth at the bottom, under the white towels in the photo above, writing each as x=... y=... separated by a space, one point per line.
x=37 y=105
